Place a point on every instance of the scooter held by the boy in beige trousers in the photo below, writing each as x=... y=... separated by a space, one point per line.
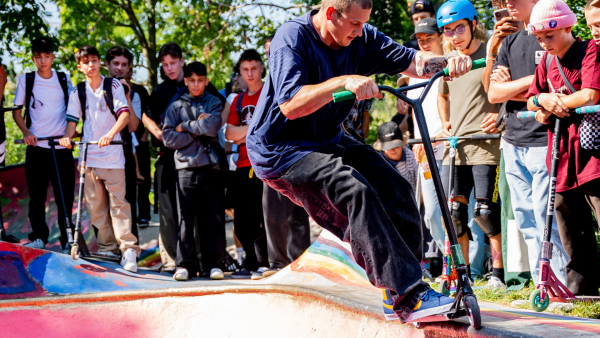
x=78 y=246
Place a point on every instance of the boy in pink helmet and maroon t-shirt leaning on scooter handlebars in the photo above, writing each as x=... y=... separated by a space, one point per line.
x=569 y=77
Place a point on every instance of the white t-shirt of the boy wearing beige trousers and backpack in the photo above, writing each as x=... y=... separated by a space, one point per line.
x=98 y=121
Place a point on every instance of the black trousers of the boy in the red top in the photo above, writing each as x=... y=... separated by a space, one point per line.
x=248 y=221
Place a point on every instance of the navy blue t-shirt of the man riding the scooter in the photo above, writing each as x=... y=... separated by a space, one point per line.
x=298 y=57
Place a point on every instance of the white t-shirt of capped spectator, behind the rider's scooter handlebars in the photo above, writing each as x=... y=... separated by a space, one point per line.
x=432 y=117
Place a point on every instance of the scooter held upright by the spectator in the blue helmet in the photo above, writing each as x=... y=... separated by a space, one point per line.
x=449 y=278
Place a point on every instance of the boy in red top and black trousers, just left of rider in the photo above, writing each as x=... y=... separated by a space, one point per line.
x=247 y=190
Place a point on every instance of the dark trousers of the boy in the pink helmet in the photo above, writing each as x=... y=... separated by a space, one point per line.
x=578 y=236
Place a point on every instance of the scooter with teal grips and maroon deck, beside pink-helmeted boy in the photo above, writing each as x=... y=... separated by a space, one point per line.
x=549 y=288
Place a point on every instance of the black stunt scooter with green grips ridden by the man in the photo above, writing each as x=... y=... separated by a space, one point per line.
x=464 y=291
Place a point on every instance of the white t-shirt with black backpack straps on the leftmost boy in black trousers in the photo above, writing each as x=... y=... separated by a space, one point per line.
x=47 y=107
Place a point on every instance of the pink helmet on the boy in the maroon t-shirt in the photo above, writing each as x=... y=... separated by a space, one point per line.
x=550 y=14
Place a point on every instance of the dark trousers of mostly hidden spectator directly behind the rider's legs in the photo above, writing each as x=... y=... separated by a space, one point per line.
x=287 y=227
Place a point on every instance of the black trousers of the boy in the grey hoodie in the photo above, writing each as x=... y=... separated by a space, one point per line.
x=200 y=197
